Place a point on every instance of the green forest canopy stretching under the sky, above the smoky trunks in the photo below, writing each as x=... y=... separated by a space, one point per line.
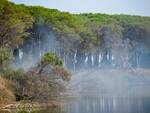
x=18 y=21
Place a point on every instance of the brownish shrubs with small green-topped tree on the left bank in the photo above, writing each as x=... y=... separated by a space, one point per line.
x=44 y=82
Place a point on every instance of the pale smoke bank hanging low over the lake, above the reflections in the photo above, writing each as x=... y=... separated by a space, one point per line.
x=117 y=83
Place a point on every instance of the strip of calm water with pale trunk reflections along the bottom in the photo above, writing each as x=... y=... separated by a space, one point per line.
x=104 y=105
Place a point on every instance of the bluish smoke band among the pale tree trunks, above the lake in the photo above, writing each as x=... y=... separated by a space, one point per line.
x=115 y=50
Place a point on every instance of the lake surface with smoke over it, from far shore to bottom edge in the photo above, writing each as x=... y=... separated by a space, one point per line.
x=109 y=92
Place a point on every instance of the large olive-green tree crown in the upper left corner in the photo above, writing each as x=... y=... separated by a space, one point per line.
x=14 y=22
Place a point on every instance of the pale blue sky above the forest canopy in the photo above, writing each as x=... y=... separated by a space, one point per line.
x=131 y=7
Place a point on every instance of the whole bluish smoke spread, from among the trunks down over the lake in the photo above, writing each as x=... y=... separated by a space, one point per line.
x=106 y=73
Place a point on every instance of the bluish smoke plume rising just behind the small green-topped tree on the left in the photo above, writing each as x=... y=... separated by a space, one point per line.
x=31 y=52
